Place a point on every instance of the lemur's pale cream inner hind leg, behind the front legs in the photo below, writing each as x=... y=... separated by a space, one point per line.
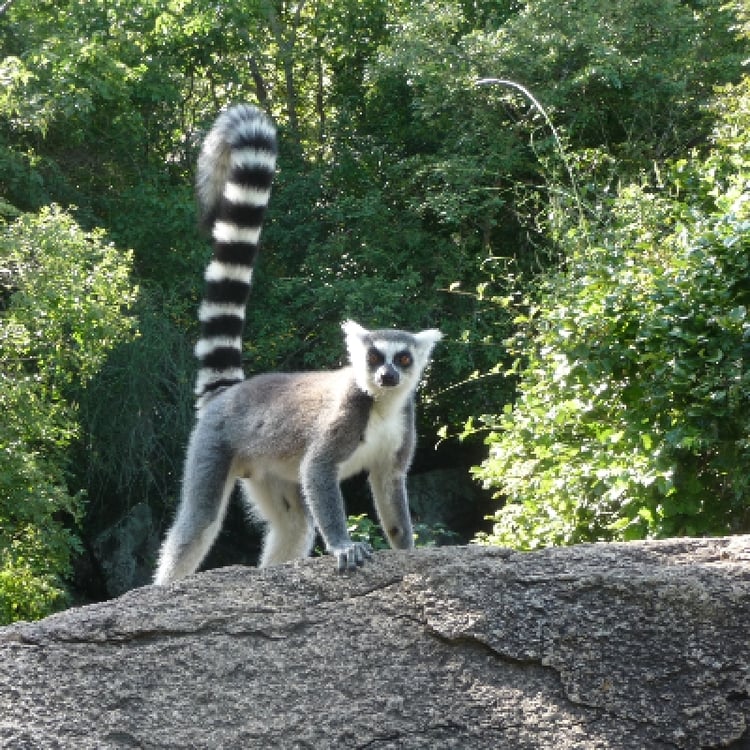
x=290 y=533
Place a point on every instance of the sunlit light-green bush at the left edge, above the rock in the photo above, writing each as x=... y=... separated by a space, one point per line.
x=61 y=311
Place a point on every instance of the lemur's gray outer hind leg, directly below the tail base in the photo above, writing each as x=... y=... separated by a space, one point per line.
x=207 y=485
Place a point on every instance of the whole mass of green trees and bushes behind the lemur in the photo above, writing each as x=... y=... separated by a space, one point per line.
x=592 y=281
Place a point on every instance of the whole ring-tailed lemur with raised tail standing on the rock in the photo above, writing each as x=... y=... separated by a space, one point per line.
x=289 y=437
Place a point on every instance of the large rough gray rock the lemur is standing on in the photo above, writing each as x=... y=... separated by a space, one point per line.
x=645 y=645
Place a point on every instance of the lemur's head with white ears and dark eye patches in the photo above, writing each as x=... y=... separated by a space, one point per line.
x=387 y=360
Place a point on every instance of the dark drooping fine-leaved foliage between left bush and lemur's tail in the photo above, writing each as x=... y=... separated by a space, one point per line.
x=138 y=456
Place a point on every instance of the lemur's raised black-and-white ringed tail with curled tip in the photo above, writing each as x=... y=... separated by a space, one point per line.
x=235 y=171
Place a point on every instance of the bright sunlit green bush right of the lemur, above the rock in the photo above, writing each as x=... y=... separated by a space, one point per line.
x=633 y=411
